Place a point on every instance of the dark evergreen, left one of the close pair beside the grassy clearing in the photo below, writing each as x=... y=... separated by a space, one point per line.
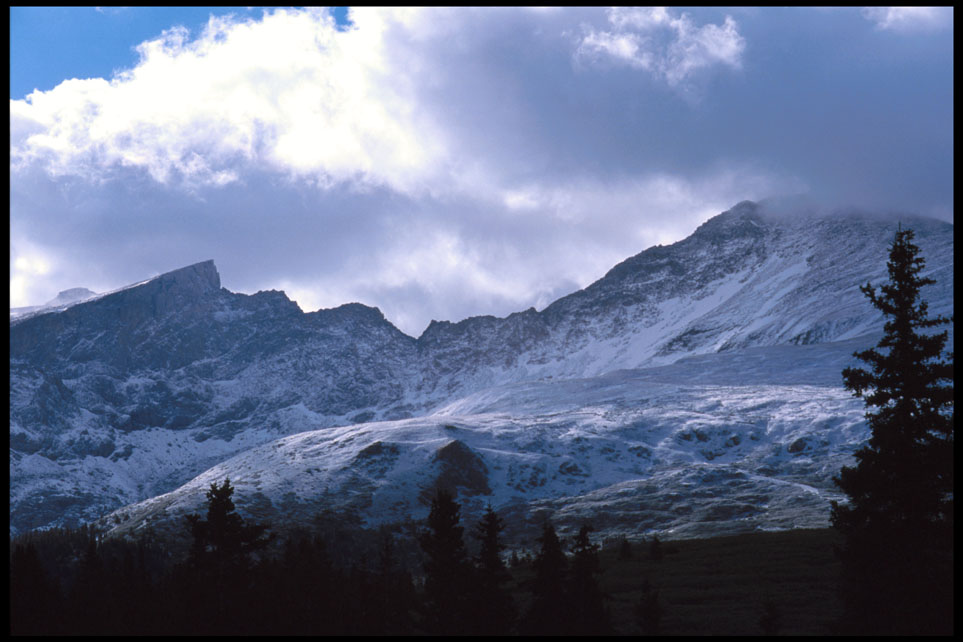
x=549 y=613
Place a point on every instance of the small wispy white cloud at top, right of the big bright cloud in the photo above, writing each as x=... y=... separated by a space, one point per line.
x=671 y=48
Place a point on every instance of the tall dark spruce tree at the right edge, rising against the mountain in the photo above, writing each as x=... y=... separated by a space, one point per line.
x=898 y=523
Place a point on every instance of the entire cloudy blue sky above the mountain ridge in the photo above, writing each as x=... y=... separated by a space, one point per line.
x=445 y=163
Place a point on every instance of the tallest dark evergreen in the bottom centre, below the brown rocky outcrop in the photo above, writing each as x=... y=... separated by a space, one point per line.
x=446 y=569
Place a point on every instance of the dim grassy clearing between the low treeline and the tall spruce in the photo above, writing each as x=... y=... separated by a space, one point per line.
x=720 y=586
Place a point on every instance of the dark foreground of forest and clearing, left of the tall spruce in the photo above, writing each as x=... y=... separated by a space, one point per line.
x=236 y=578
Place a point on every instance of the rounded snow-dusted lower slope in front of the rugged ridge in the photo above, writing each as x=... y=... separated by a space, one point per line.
x=654 y=450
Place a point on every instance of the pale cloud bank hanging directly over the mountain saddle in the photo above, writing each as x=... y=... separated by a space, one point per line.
x=546 y=242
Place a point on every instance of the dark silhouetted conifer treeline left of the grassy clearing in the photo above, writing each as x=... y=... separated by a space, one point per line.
x=237 y=579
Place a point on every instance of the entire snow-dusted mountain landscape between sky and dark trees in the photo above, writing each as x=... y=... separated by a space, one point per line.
x=694 y=390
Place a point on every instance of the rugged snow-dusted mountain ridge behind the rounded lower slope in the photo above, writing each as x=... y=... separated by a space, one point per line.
x=133 y=393
